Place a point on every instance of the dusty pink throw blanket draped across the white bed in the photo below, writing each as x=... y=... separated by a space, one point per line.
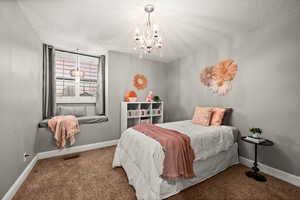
x=179 y=155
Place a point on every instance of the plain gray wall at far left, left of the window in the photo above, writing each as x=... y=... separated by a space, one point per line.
x=20 y=87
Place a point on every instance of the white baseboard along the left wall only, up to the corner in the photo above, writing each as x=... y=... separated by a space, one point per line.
x=17 y=184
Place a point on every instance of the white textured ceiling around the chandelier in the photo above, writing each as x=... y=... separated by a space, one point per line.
x=186 y=25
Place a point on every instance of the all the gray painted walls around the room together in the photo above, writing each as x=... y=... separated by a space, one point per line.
x=265 y=92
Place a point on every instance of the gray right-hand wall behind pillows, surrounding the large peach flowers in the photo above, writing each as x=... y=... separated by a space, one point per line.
x=266 y=91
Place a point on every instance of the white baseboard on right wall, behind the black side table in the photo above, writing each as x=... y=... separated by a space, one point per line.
x=290 y=178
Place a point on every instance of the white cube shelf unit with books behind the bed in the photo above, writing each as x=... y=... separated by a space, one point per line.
x=133 y=113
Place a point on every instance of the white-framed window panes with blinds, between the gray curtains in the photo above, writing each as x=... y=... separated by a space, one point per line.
x=76 y=77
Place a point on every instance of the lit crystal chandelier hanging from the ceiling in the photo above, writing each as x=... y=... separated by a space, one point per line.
x=149 y=38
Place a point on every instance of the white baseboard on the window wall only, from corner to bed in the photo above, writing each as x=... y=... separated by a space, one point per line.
x=76 y=149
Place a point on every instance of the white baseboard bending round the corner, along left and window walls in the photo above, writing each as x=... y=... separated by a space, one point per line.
x=48 y=154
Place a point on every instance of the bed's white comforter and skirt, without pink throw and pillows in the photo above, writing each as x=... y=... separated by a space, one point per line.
x=215 y=149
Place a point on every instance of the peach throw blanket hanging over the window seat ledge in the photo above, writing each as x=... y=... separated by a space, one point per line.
x=64 y=128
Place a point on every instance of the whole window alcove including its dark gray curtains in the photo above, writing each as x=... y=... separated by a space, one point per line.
x=74 y=84
